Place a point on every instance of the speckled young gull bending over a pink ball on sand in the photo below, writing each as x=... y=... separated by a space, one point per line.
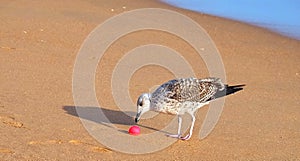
x=183 y=95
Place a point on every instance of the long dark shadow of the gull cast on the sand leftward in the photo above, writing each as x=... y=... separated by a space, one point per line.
x=106 y=117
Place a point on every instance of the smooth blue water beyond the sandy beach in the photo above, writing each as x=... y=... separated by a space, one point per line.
x=281 y=16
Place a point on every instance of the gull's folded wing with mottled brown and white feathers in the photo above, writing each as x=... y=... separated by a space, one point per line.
x=191 y=89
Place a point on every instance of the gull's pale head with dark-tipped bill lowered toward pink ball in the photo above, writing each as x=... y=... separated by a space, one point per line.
x=143 y=105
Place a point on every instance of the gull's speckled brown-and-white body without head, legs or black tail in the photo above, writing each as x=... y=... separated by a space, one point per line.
x=177 y=95
